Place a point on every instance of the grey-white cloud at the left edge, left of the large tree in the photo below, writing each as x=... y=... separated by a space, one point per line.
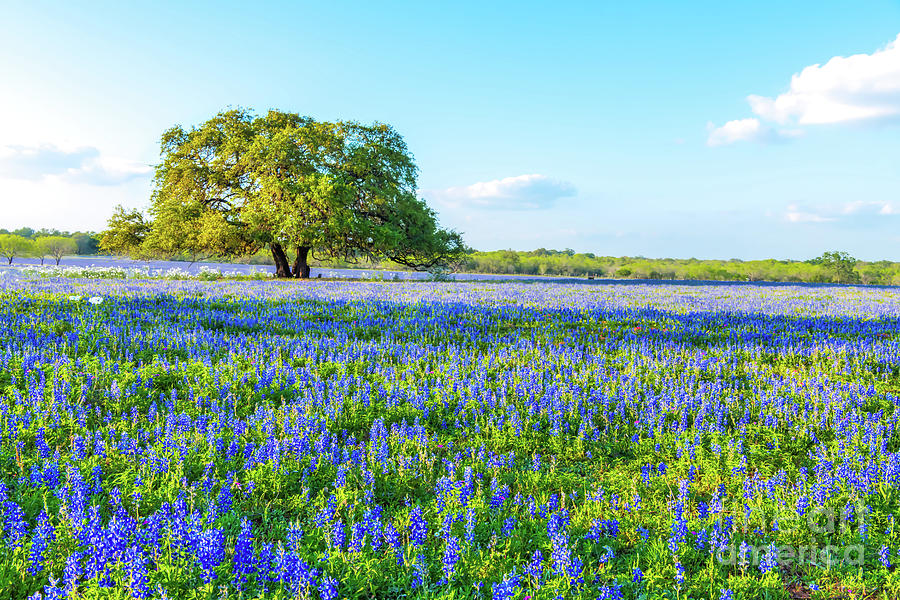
x=83 y=165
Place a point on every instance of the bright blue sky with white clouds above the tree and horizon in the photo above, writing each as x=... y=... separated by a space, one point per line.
x=658 y=129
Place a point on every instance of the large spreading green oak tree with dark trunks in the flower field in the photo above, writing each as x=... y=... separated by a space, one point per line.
x=240 y=182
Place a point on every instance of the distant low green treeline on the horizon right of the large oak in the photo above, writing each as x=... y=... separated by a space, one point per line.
x=831 y=267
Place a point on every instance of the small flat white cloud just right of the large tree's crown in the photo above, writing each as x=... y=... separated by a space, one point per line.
x=521 y=192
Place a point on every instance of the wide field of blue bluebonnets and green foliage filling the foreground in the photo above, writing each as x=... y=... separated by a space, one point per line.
x=244 y=439
